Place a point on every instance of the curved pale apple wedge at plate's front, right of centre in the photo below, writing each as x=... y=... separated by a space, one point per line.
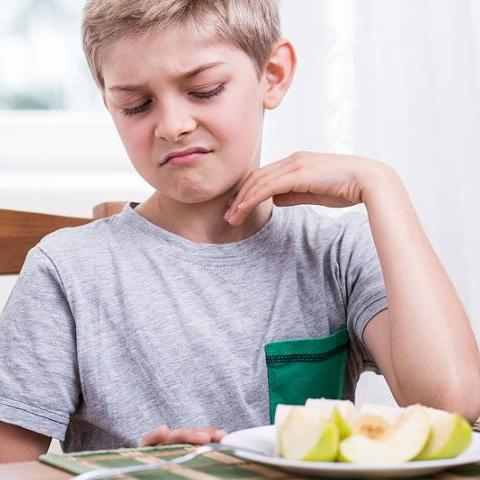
x=402 y=443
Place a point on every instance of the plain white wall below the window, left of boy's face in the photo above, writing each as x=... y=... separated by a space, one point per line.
x=64 y=163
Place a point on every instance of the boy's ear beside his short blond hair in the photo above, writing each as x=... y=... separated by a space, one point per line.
x=278 y=73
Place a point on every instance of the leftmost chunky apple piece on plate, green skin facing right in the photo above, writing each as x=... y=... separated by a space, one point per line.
x=304 y=437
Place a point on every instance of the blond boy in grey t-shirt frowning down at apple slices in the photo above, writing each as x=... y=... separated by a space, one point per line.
x=155 y=320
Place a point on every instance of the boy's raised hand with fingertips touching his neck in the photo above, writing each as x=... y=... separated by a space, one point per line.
x=331 y=180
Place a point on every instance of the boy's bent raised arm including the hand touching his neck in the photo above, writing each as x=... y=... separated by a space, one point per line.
x=423 y=343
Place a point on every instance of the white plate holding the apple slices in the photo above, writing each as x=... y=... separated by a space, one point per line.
x=263 y=440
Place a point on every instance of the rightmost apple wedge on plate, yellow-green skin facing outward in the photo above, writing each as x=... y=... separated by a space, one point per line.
x=450 y=435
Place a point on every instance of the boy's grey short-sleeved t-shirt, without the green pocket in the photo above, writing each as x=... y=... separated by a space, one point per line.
x=118 y=326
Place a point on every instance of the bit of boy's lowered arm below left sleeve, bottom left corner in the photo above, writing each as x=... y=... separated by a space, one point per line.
x=20 y=445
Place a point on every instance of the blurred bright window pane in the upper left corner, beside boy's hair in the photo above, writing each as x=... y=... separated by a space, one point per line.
x=43 y=67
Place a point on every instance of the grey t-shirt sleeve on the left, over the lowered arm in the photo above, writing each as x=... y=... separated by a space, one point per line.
x=39 y=386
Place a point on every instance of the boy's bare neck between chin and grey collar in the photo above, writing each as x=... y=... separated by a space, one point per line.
x=201 y=223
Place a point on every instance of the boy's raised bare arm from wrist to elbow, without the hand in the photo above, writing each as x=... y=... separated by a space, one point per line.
x=423 y=343
